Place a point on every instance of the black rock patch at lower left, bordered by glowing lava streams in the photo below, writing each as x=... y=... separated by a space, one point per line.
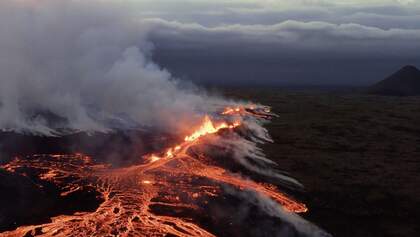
x=26 y=200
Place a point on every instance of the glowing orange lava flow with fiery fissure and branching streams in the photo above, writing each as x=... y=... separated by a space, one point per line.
x=153 y=198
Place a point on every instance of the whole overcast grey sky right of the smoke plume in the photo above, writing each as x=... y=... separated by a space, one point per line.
x=283 y=42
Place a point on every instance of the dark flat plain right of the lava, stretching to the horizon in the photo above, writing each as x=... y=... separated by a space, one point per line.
x=358 y=157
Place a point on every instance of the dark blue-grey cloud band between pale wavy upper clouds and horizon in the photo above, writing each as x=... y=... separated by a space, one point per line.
x=287 y=53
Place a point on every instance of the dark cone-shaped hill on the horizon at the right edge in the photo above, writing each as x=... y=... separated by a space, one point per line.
x=405 y=82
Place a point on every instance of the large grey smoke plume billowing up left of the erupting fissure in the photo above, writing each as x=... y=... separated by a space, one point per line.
x=71 y=66
